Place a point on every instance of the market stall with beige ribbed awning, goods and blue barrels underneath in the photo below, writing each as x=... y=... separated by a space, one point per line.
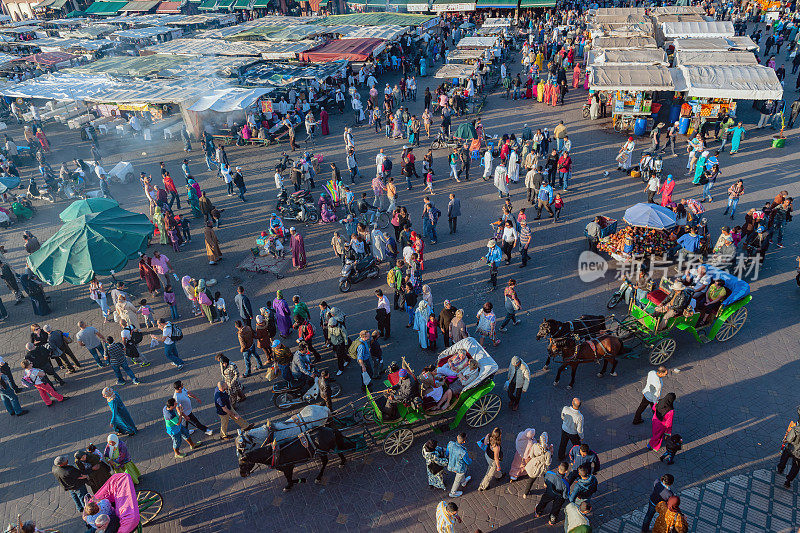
x=634 y=88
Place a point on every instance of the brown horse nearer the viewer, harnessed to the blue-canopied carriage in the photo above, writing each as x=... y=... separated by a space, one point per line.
x=574 y=351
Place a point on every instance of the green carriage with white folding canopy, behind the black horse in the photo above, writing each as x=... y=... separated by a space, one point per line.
x=475 y=402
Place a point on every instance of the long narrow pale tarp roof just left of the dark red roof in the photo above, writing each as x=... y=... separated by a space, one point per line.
x=211 y=47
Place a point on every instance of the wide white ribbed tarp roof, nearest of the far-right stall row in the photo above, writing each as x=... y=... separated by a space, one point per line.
x=739 y=82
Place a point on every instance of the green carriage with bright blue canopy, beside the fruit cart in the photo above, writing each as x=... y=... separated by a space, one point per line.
x=646 y=329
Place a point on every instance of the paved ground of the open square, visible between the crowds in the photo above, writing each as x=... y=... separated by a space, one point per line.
x=734 y=399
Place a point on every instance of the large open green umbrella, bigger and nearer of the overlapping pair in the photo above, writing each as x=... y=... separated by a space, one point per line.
x=97 y=243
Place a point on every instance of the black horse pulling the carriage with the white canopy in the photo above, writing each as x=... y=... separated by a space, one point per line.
x=318 y=442
